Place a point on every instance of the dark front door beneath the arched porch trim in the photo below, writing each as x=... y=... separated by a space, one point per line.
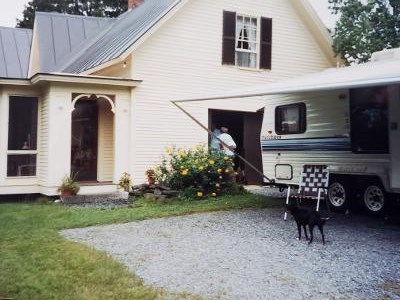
x=84 y=140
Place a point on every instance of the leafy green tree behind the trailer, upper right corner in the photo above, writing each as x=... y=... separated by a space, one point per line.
x=364 y=27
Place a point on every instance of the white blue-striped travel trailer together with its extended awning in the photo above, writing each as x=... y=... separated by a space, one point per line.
x=345 y=118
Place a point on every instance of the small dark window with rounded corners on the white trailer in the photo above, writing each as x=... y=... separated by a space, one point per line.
x=290 y=119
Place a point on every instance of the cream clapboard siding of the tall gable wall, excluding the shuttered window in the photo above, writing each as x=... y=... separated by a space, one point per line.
x=183 y=59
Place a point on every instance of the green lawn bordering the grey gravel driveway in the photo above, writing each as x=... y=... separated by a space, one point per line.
x=37 y=263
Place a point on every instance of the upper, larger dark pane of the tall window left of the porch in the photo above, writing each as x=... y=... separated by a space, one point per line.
x=22 y=128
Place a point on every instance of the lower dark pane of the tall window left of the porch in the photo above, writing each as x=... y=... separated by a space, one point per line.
x=21 y=165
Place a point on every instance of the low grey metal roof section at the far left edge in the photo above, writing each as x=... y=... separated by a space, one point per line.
x=15 y=45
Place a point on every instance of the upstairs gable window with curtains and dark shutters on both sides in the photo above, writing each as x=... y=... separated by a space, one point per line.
x=247 y=41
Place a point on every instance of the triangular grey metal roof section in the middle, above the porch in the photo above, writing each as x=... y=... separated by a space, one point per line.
x=60 y=36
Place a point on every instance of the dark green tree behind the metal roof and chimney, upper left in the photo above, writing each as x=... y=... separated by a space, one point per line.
x=97 y=8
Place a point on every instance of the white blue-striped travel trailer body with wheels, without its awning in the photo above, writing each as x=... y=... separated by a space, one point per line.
x=353 y=131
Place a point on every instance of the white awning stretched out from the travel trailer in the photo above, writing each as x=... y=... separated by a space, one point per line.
x=364 y=75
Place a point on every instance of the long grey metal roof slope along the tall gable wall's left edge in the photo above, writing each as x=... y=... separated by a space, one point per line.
x=114 y=41
